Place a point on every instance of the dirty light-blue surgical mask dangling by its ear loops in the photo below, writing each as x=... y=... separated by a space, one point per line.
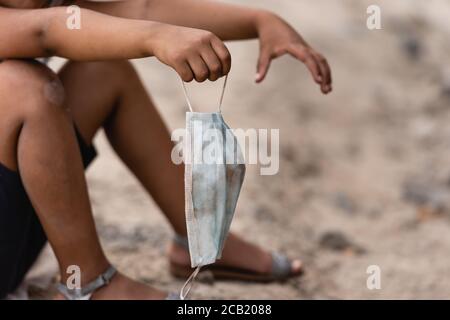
x=214 y=173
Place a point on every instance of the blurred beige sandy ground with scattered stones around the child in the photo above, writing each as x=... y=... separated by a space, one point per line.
x=364 y=173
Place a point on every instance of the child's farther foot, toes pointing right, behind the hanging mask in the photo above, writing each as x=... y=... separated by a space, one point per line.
x=256 y=263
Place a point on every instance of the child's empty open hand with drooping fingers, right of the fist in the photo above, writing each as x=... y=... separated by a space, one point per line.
x=278 y=38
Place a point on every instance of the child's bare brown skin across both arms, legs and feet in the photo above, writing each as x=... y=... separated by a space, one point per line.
x=38 y=140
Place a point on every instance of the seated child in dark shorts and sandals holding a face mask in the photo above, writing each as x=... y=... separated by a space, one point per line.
x=48 y=121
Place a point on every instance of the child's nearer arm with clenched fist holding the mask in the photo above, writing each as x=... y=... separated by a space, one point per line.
x=43 y=32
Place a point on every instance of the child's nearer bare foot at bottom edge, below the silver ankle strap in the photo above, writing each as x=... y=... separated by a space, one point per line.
x=124 y=288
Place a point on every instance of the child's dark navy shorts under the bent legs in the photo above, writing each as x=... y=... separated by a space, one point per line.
x=21 y=234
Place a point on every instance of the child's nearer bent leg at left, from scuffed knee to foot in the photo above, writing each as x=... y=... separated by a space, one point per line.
x=38 y=139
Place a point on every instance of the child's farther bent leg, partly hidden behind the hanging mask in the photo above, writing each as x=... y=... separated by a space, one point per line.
x=114 y=96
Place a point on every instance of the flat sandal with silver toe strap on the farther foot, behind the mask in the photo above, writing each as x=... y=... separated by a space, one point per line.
x=281 y=268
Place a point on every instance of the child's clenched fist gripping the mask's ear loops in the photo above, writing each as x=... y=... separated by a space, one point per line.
x=193 y=53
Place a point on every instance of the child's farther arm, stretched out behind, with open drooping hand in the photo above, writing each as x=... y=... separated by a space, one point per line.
x=228 y=22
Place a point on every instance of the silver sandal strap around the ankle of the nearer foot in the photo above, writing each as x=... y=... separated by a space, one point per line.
x=86 y=292
